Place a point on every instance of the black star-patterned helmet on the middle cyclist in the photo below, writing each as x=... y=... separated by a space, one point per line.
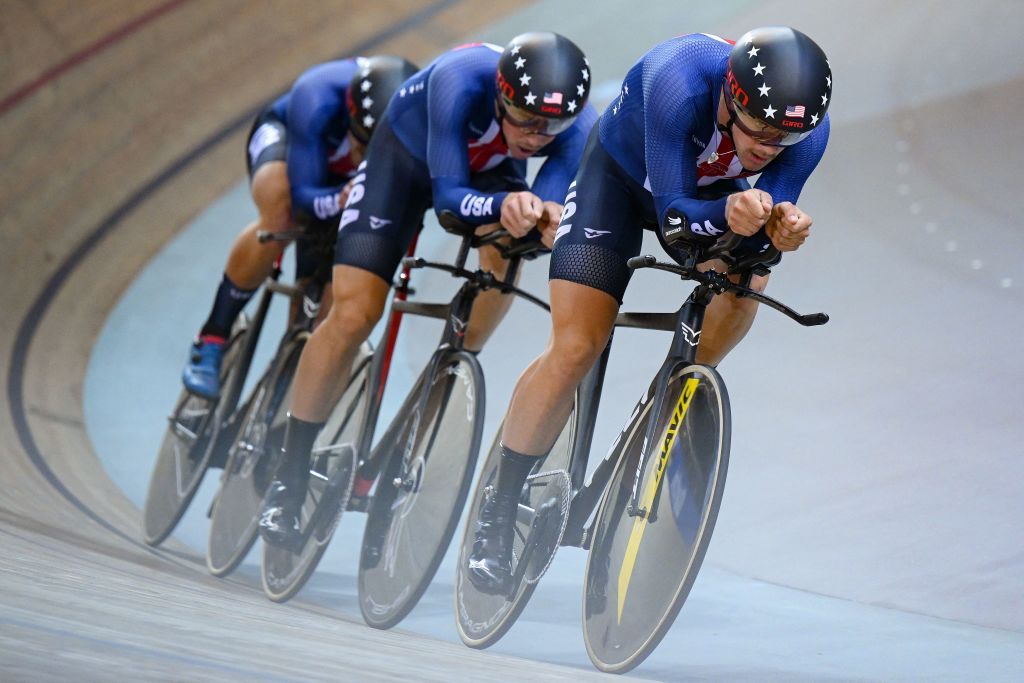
x=543 y=82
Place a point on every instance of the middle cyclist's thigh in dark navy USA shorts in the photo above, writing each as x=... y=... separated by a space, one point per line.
x=390 y=196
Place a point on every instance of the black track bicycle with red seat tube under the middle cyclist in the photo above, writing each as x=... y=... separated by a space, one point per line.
x=411 y=516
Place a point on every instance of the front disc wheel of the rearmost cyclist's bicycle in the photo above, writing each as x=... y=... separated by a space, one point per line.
x=251 y=463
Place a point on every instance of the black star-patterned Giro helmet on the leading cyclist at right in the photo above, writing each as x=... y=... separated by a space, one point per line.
x=781 y=78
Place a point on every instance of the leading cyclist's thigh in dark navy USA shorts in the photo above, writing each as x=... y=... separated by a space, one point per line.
x=602 y=227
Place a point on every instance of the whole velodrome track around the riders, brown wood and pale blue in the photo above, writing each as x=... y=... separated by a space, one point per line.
x=871 y=529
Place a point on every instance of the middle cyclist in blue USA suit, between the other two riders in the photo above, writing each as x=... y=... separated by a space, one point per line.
x=457 y=137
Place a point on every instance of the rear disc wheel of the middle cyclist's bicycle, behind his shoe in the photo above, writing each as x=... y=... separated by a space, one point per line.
x=285 y=571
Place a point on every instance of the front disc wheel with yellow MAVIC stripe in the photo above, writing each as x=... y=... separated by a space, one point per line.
x=645 y=559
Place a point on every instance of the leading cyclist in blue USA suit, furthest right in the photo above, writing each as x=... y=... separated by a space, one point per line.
x=696 y=116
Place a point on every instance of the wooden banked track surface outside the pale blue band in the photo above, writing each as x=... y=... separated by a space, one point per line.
x=104 y=162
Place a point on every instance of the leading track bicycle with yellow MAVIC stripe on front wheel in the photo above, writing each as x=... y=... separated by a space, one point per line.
x=657 y=493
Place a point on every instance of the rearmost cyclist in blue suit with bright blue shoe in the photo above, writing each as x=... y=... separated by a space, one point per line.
x=303 y=151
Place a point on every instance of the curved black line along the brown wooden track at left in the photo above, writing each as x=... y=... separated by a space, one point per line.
x=33 y=319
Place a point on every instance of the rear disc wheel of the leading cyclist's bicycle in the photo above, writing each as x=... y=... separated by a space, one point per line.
x=483 y=619
